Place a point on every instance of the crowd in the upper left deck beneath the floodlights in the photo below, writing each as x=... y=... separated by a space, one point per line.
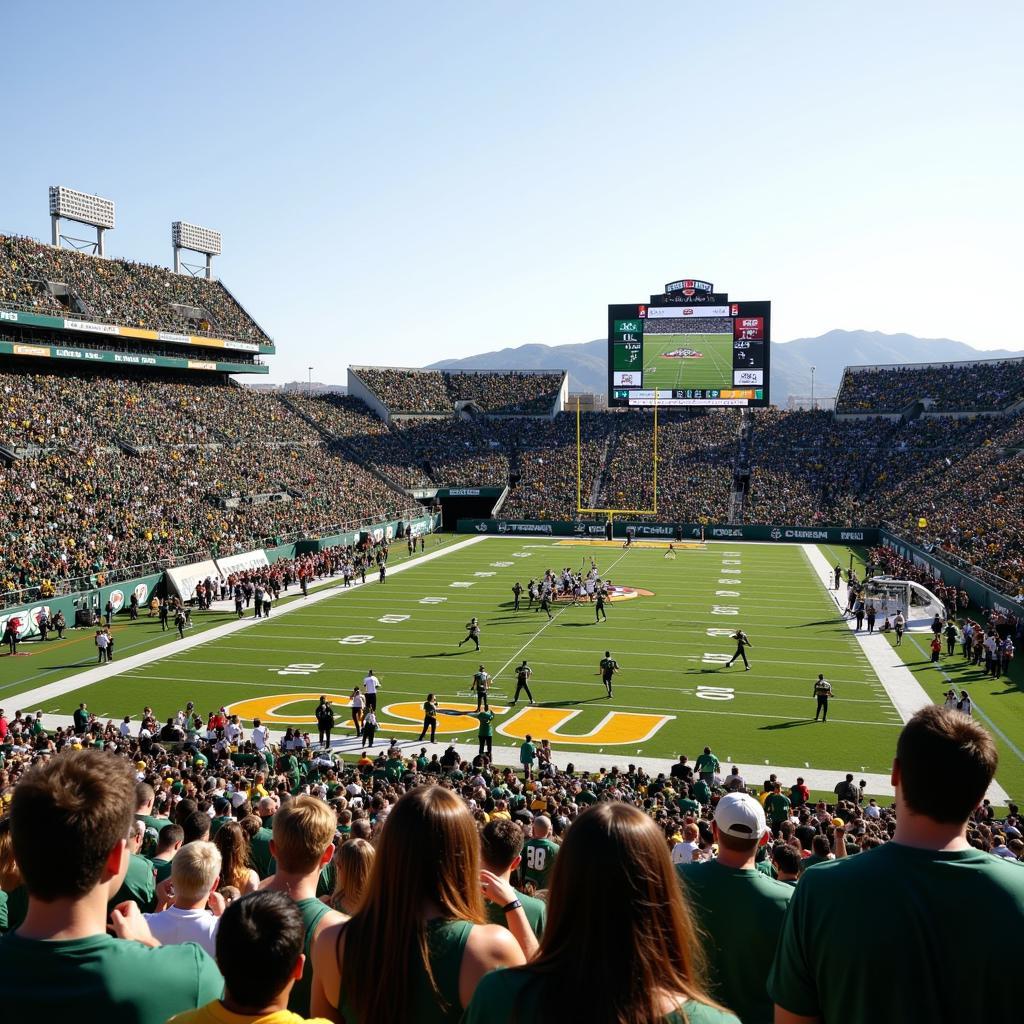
x=118 y=292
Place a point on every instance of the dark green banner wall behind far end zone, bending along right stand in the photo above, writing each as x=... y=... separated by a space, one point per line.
x=985 y=589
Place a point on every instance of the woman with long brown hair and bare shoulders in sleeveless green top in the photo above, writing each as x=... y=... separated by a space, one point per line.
x=419 y=946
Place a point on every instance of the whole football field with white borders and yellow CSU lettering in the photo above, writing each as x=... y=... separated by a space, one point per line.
x=669 y=627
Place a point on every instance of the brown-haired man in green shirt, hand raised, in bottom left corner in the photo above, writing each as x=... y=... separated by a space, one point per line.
x=70 y=820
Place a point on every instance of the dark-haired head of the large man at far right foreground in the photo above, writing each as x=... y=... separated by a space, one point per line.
x=944 y=745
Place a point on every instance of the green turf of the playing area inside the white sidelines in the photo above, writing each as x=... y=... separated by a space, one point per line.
x=661 y=642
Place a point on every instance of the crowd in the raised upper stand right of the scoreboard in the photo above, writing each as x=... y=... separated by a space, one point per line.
x=967 y=388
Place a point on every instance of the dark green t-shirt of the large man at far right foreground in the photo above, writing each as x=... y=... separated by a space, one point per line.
x=935 y=974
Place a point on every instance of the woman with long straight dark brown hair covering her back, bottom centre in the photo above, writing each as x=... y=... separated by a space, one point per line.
x=620 y=946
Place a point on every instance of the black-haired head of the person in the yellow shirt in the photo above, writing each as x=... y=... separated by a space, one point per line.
x=260 y=949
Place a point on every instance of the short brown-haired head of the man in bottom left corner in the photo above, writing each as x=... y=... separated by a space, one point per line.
x=70 y=820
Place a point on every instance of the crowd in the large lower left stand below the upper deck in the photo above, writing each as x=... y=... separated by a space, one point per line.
x=76 y=503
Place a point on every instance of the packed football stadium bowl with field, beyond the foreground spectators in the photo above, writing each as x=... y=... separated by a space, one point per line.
x=185 y=591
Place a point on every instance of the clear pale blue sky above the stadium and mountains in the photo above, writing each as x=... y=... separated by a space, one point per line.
x=402 y=183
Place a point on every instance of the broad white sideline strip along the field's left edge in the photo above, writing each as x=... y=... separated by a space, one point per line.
x=41 y=695
